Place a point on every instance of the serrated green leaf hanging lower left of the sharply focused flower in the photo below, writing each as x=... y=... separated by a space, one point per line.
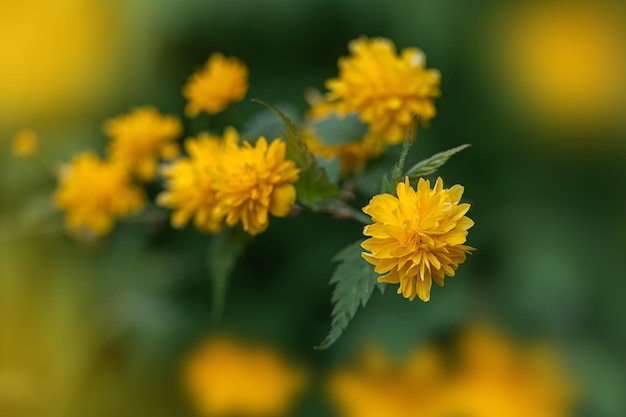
x=354 y=281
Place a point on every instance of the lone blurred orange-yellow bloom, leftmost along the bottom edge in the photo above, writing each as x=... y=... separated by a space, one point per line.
x=224 y=377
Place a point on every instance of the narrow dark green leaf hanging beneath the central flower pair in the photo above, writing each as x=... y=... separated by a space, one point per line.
x=224 y=250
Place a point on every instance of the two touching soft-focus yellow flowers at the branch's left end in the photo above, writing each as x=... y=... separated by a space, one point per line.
x=96 y=192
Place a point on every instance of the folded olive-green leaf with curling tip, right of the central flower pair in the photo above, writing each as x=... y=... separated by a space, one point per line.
x=313 y=183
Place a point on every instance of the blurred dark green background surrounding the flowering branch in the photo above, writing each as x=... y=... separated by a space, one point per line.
x=538 y=89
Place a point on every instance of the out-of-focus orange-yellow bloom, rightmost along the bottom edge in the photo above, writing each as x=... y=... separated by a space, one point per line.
x=496 y=378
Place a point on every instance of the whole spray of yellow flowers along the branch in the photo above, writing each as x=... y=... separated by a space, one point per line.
x=416 y=237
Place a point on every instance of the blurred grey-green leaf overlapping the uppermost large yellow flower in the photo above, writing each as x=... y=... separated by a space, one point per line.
x=337 y=130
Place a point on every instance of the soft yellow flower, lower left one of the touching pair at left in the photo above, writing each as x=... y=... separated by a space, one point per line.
x=94 y=193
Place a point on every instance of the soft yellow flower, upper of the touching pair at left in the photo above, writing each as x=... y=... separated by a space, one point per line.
x=140 y=138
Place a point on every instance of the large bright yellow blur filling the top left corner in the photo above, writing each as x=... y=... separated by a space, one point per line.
x=56 y=56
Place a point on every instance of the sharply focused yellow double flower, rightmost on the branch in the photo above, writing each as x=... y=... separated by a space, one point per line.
x=417 y=236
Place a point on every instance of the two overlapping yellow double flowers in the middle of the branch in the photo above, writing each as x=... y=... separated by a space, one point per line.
x=221 y=182
